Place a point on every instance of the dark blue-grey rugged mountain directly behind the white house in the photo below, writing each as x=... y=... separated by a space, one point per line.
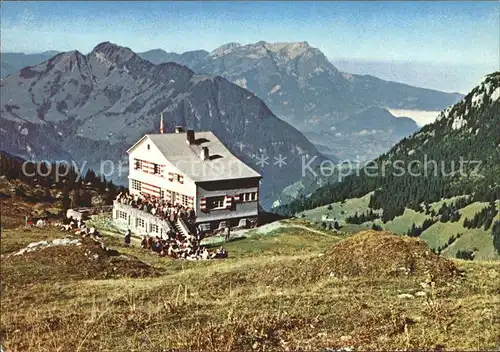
x=93 y=107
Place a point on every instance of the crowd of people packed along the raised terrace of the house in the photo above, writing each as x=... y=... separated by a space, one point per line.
x=158 y=207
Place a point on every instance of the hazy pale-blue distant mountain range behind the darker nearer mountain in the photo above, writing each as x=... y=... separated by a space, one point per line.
x=347 y=116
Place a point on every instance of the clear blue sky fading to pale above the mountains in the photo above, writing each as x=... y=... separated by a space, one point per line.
x=385 y=37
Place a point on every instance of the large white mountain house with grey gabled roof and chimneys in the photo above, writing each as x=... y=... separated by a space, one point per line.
x=195 y=170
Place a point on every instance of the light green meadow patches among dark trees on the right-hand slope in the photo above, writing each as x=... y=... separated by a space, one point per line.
x=437 y=235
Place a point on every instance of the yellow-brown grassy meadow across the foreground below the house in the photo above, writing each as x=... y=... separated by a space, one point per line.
x=247 y=301
